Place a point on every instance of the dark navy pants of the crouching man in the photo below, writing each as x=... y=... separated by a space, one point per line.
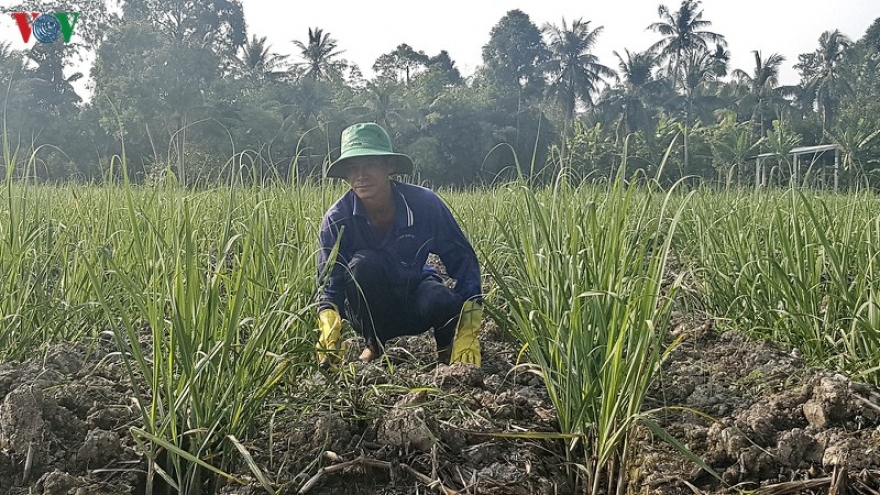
x=381 y=307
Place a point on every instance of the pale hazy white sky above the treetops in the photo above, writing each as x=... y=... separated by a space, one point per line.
x=367 y=29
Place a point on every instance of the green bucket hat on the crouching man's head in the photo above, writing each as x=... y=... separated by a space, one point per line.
x=368 y=139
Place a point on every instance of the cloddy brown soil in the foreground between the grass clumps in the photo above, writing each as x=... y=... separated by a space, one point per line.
x=394 y=426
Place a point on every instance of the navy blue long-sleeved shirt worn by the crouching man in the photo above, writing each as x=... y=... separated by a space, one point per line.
x=422 y=224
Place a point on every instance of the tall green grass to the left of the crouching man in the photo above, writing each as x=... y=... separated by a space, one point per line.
x=208 y=296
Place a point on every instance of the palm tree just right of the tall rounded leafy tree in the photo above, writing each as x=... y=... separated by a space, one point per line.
x=575 y=72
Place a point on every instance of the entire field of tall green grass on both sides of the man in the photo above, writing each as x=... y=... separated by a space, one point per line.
x=208 y=294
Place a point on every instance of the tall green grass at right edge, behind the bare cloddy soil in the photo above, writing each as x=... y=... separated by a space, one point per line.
x=794 y=267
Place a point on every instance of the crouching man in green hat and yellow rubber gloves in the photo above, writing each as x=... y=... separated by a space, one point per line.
x=379 y=279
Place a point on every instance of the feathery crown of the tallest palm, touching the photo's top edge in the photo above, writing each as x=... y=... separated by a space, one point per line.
x=683 y=32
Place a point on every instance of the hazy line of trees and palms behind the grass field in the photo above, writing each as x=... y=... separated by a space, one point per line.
x=181 y=89
